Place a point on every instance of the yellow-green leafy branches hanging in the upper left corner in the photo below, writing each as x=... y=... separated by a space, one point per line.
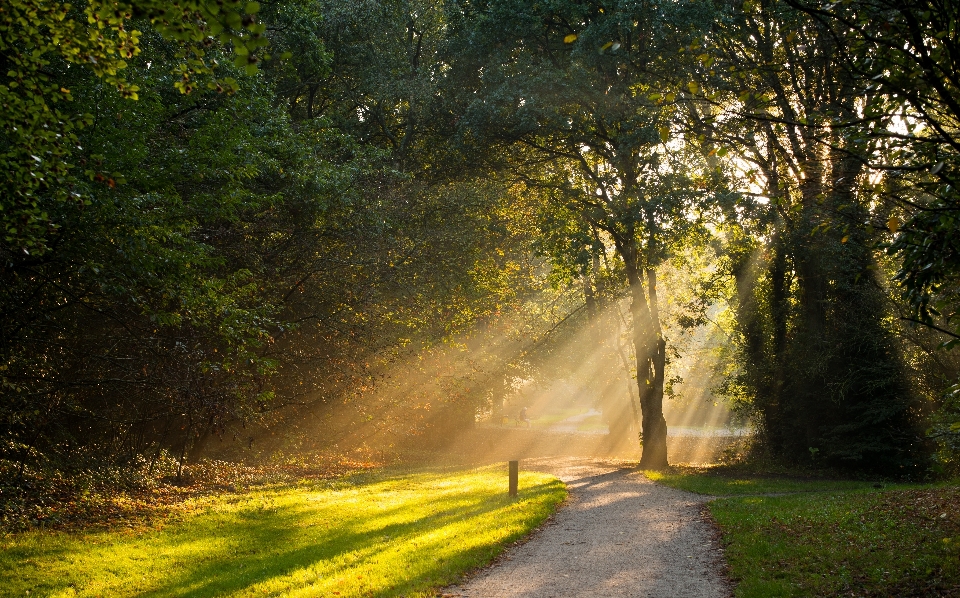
x=41 y=40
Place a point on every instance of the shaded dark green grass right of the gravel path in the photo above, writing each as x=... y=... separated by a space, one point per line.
x=832 y=537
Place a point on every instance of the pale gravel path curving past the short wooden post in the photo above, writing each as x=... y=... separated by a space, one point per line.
x=619 y=535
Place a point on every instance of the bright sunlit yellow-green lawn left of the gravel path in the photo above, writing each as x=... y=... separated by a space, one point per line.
x=389 y=536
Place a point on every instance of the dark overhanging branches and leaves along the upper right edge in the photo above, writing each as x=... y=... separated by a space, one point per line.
x=905 y=53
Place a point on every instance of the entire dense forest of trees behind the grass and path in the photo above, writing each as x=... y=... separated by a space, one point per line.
x=225 y=219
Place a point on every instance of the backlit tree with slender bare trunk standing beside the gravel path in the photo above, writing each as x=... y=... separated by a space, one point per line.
x=561 y=89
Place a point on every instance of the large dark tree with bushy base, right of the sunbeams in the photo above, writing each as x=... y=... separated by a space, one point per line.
x=828 y=378
